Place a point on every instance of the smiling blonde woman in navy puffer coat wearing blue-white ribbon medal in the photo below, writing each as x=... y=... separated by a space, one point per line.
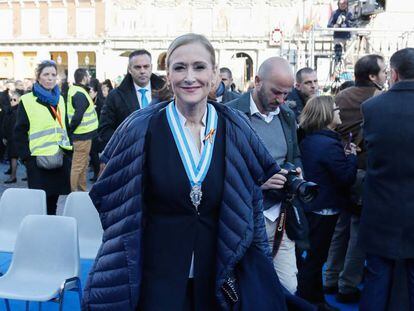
x=180 y=203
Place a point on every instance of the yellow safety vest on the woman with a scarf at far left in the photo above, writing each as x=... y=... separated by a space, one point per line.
x=46 y=134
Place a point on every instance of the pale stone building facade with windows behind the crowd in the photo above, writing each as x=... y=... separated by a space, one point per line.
x=99 y=34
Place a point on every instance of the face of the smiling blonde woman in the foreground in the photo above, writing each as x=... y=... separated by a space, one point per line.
x=191 y=73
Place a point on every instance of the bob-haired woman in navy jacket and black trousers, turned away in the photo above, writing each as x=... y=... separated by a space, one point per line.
x=334 y=169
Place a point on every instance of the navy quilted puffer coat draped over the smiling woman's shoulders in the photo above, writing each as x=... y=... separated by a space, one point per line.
x=115 y=278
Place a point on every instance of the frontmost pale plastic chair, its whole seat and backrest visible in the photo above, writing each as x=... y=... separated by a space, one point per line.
x=45 y=261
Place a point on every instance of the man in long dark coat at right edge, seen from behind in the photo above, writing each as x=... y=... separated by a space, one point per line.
x=387 y=221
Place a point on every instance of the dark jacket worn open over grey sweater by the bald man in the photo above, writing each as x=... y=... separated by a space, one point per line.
x=287 y=118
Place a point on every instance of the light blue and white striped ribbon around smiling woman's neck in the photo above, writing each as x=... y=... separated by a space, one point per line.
x=196 y=172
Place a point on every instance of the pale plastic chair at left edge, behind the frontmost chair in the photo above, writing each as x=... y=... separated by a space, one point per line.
x=15 y=204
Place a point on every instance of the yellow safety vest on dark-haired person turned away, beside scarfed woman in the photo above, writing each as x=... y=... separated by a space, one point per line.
x=89 y=121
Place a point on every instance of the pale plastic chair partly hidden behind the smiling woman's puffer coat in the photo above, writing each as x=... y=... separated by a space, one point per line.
x=79 y=205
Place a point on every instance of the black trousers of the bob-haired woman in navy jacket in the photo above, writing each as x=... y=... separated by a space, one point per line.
x=321 y=229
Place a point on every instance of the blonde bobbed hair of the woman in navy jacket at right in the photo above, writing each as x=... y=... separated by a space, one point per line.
x=317 y=114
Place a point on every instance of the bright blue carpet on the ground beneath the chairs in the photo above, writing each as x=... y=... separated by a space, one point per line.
x=71 y=301
